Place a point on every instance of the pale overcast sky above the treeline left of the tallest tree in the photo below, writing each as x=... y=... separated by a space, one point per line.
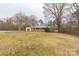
x=9 y=9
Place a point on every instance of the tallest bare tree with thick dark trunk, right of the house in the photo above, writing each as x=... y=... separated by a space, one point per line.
x=56 y=11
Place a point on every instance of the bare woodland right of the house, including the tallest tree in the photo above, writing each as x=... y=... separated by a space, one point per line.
x=63 y=17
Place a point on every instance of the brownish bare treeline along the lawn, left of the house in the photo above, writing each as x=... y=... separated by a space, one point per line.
x=17 y=22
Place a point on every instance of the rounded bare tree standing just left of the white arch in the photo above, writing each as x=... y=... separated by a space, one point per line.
x=20 y=20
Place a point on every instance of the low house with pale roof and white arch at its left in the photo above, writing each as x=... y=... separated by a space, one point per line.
x=40 y=27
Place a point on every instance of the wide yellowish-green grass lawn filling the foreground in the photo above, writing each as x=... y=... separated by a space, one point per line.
x=38 y=44
